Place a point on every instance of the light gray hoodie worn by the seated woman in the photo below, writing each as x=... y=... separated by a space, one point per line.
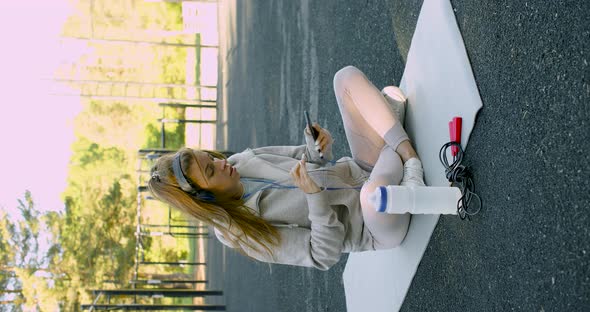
x=317 y=228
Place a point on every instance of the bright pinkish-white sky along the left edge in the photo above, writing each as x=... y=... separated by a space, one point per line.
x=35 y=128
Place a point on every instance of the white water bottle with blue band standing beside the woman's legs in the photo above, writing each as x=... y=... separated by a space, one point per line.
x=396 y=199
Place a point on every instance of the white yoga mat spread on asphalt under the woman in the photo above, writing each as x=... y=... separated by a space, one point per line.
x=439 y=84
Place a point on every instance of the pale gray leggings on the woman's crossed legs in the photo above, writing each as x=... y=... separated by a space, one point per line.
x=358 y=97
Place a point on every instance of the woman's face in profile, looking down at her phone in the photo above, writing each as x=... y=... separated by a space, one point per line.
x=215 y=175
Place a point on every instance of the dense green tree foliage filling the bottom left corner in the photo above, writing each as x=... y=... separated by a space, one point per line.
x=82 y=247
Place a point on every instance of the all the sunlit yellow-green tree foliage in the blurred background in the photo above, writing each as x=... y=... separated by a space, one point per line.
x=49 y=259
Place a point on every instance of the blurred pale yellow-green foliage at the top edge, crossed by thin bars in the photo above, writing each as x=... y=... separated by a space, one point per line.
x=117 y=19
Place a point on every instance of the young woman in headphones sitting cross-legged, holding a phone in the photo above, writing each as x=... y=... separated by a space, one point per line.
x=292 y=204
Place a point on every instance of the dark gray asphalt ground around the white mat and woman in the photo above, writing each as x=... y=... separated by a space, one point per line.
x=528 y=249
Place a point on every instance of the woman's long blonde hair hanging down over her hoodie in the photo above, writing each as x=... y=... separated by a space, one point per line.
x=238 y=223
